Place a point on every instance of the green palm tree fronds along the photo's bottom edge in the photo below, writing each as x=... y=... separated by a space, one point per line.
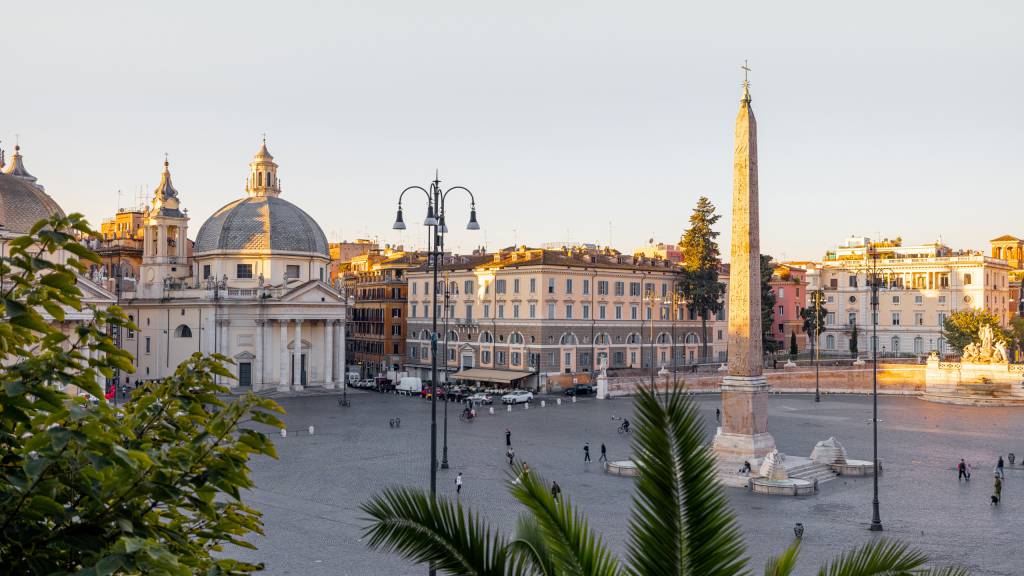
x=681 y=523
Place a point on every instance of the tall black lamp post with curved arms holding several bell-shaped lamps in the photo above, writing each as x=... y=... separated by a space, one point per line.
x=436 y=223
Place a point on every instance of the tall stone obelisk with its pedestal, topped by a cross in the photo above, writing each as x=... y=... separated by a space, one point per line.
x=744 y=434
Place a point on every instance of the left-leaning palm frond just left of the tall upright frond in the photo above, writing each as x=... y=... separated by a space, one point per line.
x=575 y=549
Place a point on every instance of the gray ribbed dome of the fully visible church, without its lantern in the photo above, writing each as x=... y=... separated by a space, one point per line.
x=262 y=224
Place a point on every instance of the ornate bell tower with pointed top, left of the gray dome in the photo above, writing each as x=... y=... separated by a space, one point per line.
x=165 y=250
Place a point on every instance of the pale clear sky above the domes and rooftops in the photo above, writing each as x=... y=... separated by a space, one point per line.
x=571 y=121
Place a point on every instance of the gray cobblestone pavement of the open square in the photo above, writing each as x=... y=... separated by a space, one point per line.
x=311 y=497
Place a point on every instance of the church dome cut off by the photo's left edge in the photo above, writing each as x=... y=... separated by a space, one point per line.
x=23 y=202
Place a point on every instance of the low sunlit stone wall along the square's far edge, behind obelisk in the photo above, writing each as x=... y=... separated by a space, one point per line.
x=893 y=379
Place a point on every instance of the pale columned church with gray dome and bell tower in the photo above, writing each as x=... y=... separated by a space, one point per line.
x=255 y=290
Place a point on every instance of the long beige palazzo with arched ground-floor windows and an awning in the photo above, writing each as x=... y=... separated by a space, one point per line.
x=534 y=314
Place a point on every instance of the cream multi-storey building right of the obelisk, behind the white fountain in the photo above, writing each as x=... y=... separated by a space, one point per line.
x=922 y=285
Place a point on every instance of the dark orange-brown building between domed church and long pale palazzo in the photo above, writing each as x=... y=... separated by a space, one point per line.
x=377 y=285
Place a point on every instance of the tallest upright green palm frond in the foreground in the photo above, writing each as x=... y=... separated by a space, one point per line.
x=681 y=521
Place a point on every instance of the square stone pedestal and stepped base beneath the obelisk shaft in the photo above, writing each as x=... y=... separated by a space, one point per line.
x=744 y=436
